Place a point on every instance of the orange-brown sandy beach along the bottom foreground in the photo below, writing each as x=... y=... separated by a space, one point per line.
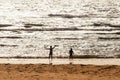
x=58 y=72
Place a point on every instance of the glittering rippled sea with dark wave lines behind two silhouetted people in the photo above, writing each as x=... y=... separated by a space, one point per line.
x=88 y=26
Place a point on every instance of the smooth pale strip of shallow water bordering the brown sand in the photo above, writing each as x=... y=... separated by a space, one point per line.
x=62 y=61
